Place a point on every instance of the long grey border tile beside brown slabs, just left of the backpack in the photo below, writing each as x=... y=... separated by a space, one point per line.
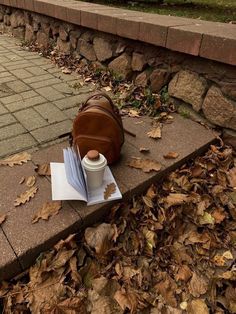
x=52 y=131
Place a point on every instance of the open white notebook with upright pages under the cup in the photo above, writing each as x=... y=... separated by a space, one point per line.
x=69 y=181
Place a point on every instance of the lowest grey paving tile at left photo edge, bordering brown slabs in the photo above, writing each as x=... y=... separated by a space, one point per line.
x=15 y=144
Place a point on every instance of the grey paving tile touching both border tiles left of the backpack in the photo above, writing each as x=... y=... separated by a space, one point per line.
x=30 y=119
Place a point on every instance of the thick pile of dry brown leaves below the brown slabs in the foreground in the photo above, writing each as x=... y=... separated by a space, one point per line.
x=171 y=250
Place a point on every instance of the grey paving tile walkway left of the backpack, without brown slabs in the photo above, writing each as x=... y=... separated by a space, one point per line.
x=37 y=101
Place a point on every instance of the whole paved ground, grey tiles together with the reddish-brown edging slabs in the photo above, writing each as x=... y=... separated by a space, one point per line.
x=37 y=103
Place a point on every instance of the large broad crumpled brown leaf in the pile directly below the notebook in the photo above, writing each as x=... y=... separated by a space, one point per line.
x=100 y=237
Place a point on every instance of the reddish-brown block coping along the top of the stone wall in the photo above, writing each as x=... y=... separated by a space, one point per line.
x=211 y=40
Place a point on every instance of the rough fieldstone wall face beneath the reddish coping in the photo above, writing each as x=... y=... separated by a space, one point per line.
x=209 y=87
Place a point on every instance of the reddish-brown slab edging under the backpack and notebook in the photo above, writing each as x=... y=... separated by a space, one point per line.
x=22 y=241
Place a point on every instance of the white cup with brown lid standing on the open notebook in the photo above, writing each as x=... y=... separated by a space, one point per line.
x=94 y=164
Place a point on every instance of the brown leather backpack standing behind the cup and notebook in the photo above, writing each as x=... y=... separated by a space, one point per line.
x=98 y=126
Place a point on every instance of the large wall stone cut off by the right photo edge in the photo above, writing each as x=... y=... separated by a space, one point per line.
x=218 y=109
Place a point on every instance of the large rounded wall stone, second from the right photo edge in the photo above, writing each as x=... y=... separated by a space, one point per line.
x=190 y=87
